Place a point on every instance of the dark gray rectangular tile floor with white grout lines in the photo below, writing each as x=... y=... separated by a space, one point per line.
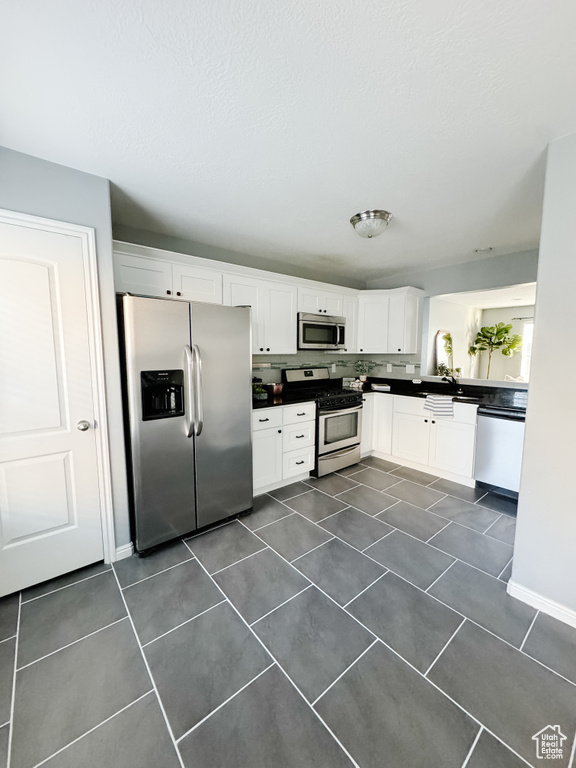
x=357 y=620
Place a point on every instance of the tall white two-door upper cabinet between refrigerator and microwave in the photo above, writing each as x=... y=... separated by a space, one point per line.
x=274 y=311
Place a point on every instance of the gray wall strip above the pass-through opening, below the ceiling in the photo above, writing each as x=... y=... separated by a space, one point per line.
x=494 y=272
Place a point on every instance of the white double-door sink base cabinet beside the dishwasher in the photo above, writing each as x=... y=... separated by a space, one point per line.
x=439 y=442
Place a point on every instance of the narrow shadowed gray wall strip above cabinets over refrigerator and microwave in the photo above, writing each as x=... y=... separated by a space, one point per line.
x=192 y=248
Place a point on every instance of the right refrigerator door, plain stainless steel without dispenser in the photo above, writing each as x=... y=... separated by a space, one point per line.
x=222 y=362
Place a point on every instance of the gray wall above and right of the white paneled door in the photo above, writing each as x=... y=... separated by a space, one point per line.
x=37 y=187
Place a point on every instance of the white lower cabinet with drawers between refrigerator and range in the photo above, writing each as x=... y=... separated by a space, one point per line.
x=283 y=440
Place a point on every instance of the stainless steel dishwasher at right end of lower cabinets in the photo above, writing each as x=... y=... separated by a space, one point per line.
x=499 y=445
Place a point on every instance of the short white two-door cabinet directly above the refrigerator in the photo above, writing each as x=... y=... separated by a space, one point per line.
x=156 y=277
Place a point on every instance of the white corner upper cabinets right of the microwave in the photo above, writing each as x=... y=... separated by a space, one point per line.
x=389 y=321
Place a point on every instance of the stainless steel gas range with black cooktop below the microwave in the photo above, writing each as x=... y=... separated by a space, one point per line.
x=338 y=419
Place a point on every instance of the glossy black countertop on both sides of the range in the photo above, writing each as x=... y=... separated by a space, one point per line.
x=506 y=398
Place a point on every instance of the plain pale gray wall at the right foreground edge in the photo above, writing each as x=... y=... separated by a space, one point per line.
x=545 y=547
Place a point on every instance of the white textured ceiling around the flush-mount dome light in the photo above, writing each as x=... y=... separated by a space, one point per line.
x=261 y=126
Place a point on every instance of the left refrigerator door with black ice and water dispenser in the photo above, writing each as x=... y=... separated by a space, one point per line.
x=157 y=335
